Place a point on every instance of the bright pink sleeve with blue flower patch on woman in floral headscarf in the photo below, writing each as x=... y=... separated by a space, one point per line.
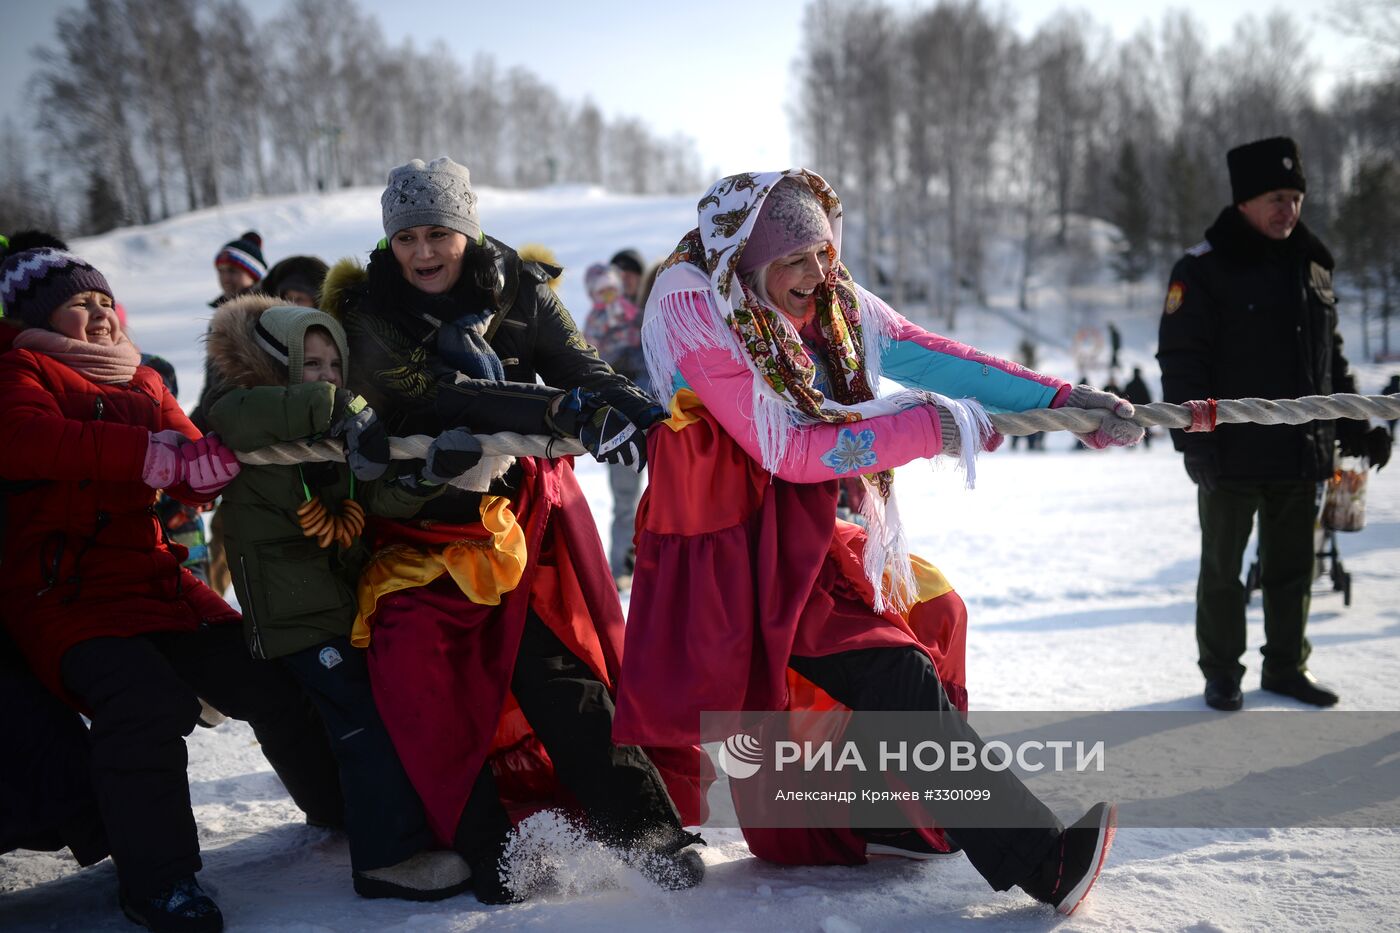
x=815 y=453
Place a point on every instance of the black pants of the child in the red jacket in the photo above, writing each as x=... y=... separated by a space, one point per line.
x=143 y=693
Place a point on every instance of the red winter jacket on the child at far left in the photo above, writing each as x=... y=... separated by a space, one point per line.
x=83 y=551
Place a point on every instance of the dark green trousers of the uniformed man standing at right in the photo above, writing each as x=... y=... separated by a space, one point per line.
x=1287 y=515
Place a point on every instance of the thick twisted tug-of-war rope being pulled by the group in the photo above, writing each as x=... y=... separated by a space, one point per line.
x=499 y=450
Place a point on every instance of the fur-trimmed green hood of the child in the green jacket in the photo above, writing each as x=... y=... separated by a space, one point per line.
x=246 y=350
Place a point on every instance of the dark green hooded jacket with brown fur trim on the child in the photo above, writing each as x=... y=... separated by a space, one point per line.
x=293 y=593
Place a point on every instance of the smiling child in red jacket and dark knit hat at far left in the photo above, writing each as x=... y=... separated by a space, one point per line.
x=97 y=600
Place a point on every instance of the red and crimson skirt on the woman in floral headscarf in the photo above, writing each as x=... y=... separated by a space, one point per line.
x=737 y=572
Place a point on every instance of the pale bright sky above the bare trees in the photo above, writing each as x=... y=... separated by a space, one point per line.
x=670 y=62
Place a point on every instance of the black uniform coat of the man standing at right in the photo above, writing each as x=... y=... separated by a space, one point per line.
x=1251 y=317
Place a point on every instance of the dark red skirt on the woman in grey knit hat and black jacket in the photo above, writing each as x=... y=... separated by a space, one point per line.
x=442 y=665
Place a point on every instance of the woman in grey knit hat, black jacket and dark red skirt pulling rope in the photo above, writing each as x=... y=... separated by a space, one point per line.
x=493 y=627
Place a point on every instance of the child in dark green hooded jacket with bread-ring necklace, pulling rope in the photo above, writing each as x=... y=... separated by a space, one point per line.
x=295 y=547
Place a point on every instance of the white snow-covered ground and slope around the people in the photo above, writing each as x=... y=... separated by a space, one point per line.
x=1079 y=571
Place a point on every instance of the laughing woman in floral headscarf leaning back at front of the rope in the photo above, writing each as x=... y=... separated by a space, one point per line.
x=748 y=593
